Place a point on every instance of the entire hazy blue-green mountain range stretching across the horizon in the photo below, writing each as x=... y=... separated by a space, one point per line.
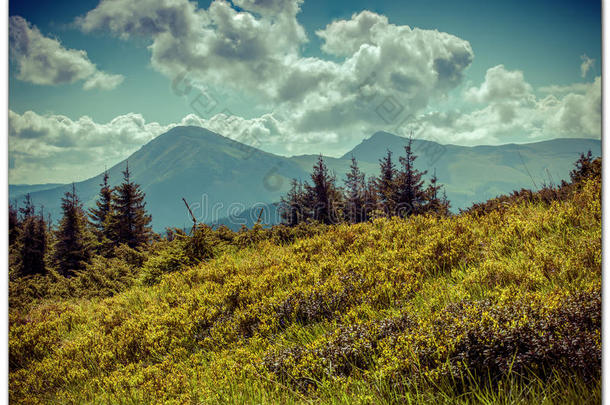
x=228 y=182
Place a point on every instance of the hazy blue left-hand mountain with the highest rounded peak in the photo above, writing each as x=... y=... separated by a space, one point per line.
x=216 y=175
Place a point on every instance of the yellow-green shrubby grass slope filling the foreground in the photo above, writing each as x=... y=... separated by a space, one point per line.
x=377 y=312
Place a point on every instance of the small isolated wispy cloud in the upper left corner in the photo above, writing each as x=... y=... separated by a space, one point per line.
x=43 y=60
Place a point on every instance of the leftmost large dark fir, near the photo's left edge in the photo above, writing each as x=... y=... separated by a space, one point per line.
x=32 y=240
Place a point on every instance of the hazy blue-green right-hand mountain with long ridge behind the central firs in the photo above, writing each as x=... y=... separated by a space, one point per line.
x=473 y=174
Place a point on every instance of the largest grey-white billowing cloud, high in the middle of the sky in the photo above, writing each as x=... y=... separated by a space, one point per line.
x=256 y=48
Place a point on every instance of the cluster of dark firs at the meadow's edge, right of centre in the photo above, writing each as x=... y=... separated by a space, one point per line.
x=394 y=193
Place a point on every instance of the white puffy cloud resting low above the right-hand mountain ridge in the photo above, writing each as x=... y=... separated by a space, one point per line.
x=575 y=114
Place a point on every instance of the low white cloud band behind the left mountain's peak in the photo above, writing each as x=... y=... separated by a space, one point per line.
x=55 y=148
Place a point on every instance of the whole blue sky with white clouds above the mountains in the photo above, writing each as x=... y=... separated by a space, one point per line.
x=90 y=82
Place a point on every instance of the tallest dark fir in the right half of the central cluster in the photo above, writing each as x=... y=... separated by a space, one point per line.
x=410 y=193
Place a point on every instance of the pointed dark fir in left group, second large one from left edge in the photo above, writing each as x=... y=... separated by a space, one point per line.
x=73 y=247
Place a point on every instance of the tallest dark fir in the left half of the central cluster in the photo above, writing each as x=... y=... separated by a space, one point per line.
x=323 y=197
